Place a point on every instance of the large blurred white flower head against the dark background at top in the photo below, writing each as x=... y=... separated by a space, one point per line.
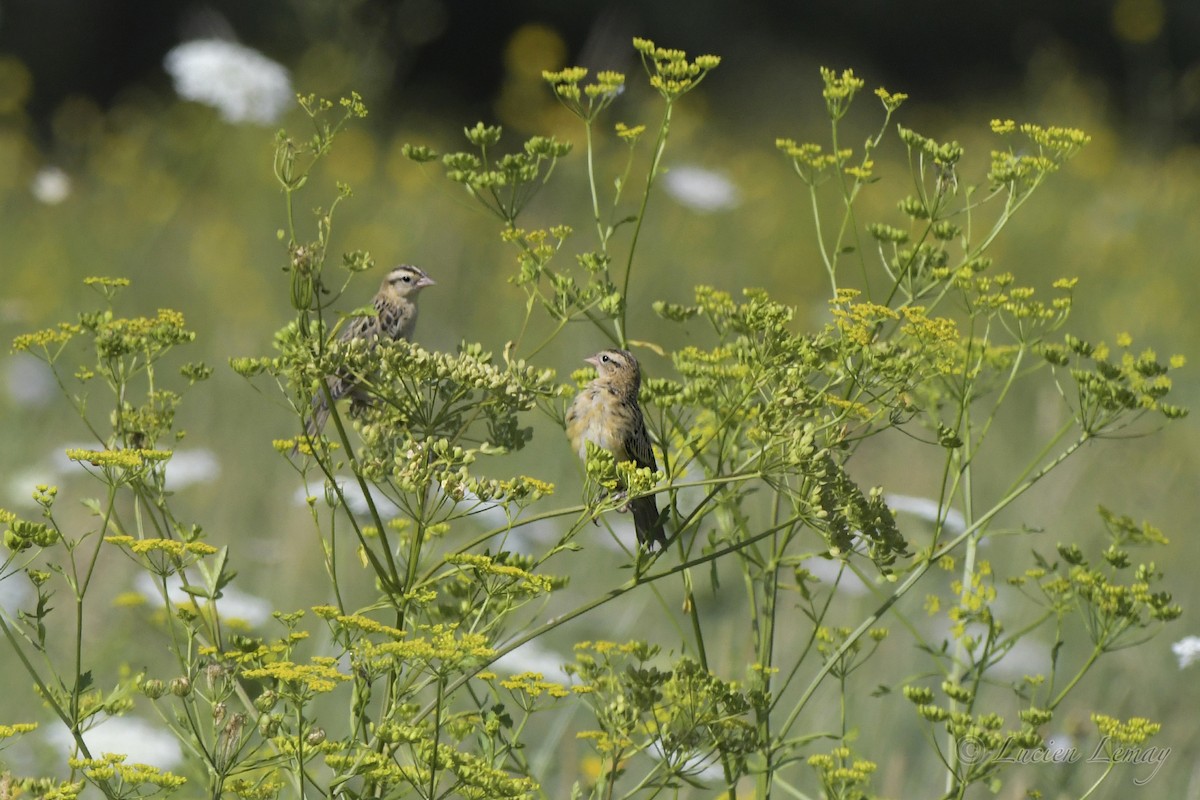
x=243 y=85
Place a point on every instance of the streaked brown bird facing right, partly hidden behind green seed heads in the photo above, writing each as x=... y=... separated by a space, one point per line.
x=395 y=318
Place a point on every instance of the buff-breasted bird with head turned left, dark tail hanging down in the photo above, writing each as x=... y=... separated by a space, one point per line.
x=607 y=414
